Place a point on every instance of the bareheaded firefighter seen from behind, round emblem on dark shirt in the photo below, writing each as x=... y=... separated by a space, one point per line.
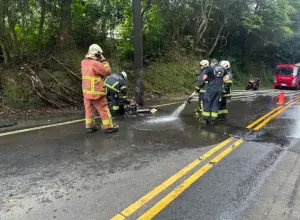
x=214 y=75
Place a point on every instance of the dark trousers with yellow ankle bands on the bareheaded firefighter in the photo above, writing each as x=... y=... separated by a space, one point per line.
x=211 y=103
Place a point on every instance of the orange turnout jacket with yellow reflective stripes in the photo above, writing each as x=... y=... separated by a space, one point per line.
x=93 y=72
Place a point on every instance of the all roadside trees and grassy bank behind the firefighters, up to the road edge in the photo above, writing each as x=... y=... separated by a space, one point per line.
x=43 y=41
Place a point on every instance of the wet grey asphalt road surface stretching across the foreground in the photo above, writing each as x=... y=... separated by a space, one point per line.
x=63 y=173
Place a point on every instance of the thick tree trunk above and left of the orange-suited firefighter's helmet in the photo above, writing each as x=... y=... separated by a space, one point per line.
x=65 y=38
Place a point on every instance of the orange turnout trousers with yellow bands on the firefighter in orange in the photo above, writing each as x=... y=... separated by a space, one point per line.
x=101 y=106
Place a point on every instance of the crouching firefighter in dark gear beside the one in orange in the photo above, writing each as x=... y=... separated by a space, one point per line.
x=117 y=91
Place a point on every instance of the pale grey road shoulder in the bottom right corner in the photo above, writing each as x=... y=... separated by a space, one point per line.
x=279 y=195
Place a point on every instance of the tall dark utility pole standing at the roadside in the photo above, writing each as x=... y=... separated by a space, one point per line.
x=138 y=51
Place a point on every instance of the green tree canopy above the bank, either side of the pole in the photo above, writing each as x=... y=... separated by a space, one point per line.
x=239 y=30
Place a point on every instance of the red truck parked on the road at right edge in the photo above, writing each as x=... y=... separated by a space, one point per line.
x=287 y=76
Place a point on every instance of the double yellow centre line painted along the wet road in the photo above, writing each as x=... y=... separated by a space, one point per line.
x=159 y=206
